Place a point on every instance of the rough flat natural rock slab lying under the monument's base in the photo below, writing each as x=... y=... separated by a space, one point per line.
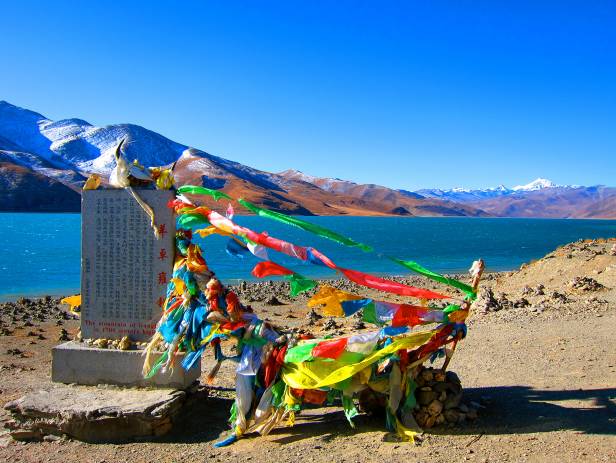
x=95 y=414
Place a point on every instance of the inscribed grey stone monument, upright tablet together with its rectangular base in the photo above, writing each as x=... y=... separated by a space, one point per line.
x=125 y=269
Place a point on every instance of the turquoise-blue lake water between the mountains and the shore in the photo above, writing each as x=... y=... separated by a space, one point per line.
x=41 y=252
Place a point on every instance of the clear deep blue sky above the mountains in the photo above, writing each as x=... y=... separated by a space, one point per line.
x=408 y=95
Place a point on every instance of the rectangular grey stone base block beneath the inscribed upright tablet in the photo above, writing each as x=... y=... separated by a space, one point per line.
x=75 y=363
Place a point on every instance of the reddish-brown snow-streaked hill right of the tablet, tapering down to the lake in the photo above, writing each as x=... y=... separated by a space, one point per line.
x=293 y=194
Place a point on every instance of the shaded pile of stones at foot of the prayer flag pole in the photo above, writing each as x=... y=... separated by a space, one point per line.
x=439 y=399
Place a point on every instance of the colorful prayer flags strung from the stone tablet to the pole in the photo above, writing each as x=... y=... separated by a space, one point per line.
x=279 y=373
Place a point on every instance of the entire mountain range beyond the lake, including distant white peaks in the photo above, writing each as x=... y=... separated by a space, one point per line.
x=43 y=164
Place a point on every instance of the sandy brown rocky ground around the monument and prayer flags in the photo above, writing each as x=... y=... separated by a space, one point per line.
x=538 y=368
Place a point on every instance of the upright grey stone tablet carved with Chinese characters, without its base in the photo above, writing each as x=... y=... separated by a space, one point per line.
x=124 y=267
